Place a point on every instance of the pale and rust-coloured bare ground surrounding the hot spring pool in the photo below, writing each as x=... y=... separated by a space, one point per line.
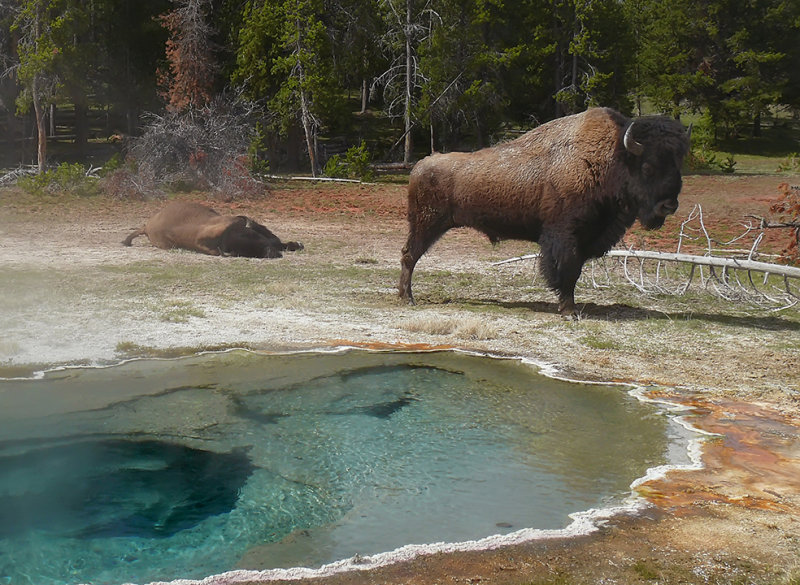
x=70 y=293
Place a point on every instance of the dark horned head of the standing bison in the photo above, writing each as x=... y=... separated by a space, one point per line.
x=655 y=148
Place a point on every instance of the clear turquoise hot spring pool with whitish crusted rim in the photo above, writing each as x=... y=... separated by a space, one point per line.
x=161 y=469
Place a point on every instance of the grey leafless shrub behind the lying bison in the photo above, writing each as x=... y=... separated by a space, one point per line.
x=202 y=148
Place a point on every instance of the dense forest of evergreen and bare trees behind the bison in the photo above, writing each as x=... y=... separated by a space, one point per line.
x=328 y=86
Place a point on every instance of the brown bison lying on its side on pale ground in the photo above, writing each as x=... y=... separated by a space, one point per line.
x=196 y=227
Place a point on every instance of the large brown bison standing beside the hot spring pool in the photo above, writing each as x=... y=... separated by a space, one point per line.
x=573 y=185
